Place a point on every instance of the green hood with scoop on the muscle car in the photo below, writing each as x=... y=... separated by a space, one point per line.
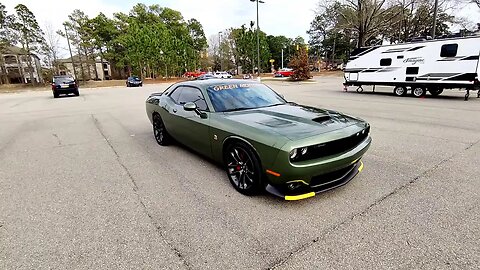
x=292 y=121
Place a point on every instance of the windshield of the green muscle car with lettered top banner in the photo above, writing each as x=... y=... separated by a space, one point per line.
x=242 y=96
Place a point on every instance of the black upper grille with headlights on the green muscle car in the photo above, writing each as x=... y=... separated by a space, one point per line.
x=334 y=147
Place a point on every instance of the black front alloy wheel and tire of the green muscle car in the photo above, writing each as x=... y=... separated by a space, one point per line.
x=243 y=168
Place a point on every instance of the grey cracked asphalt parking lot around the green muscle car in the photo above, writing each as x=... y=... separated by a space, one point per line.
x=84 y=185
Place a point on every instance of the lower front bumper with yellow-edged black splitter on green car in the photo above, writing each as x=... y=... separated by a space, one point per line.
x=327 y=182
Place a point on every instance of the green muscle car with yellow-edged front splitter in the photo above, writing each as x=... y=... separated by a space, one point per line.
x=263 y=141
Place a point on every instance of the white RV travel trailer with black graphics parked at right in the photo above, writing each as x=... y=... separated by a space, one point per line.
x=429 y=65
